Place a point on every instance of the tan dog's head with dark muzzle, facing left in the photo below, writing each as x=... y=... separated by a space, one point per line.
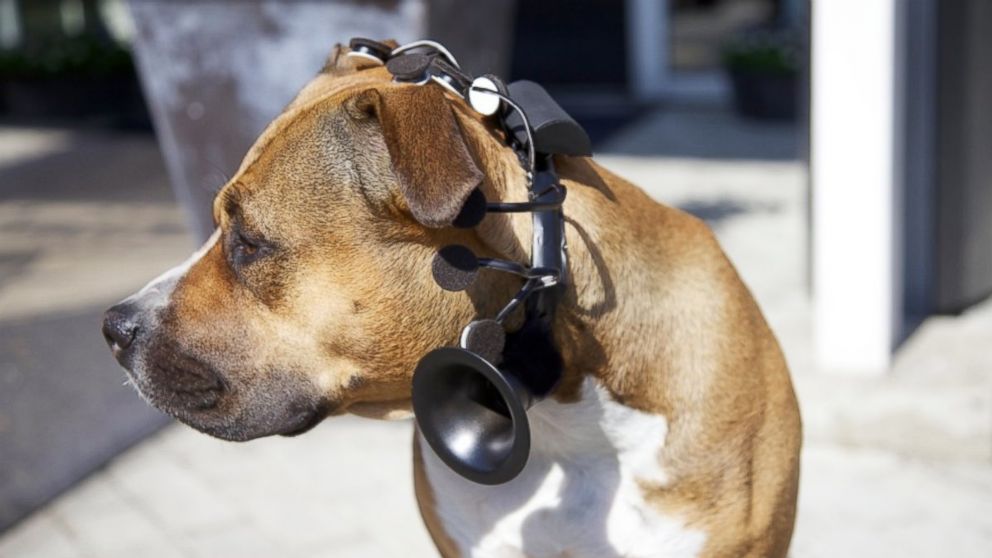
x=314 y=294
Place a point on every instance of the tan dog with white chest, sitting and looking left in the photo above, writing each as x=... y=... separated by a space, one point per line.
x=674 y=430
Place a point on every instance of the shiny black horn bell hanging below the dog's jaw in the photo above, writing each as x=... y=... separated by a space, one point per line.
x=473 y=415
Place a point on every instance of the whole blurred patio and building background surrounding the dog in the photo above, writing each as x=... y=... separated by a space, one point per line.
x=840 y=150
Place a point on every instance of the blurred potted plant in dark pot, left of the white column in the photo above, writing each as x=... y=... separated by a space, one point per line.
x=764 y=67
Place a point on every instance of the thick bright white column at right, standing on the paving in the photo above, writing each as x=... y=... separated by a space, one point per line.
x=855 y=183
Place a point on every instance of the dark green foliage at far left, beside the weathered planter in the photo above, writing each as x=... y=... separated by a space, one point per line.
x=79 y=57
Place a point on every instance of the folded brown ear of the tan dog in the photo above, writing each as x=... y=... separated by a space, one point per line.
x=430 y=159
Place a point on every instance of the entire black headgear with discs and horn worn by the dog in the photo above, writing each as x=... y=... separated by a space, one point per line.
x=471 y=401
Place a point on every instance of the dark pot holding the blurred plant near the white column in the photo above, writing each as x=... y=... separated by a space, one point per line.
x=765 y=95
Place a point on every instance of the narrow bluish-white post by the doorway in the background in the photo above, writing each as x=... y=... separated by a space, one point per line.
x=647 y=47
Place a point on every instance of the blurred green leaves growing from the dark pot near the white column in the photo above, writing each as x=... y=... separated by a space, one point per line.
x=764 y=52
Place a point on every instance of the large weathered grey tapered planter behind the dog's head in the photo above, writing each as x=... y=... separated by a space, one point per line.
x=216 y=72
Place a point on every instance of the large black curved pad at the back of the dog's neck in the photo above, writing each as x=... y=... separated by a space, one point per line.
x=554 y=130
